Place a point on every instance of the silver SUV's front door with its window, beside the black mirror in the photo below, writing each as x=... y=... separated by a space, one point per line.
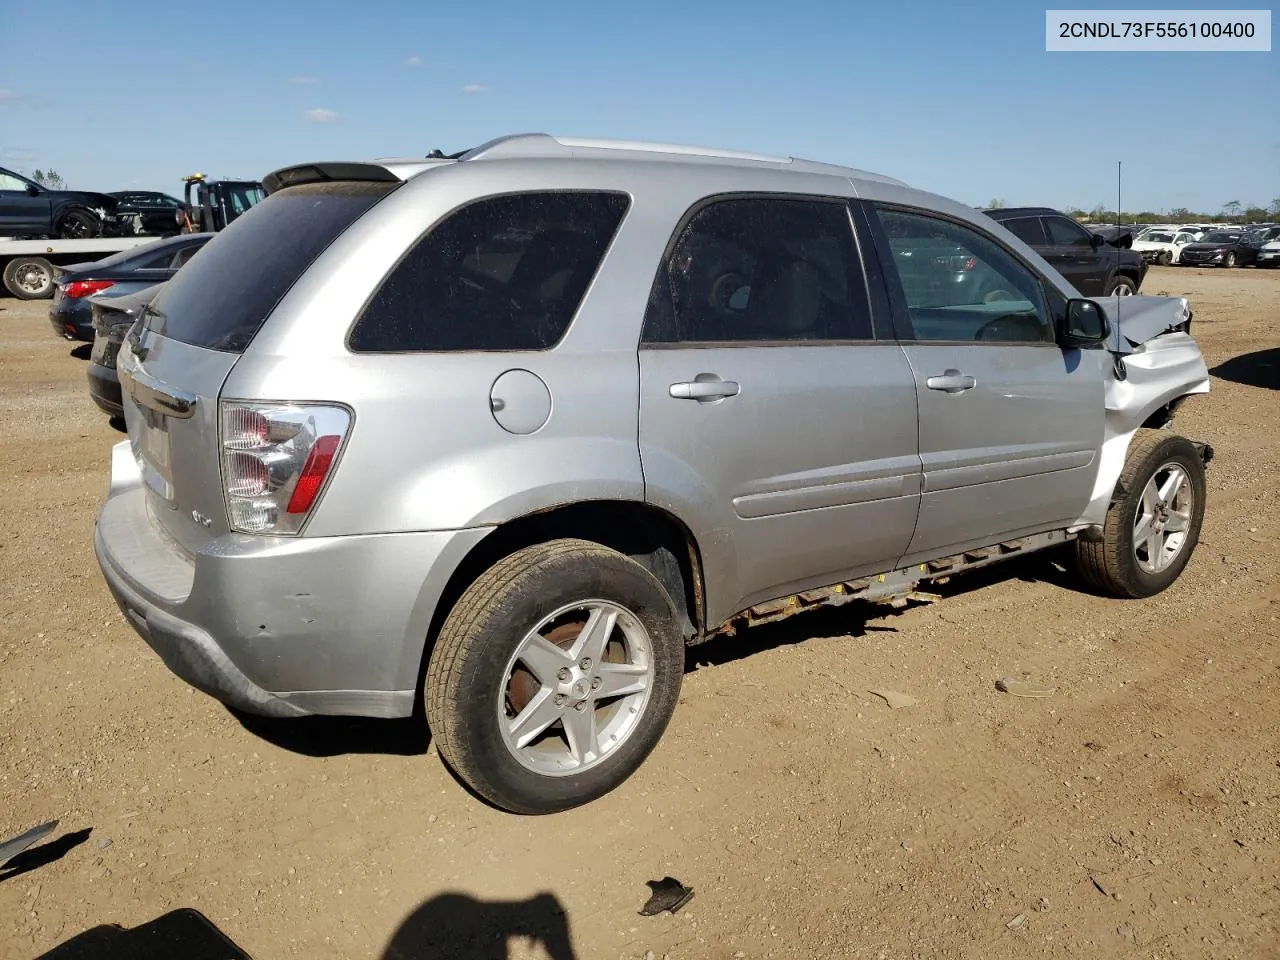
x=1011 y=424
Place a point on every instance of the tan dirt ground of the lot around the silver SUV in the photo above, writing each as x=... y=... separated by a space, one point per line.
x=1135 y=813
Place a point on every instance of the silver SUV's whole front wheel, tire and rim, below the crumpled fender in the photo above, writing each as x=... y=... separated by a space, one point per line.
x=1154 y=522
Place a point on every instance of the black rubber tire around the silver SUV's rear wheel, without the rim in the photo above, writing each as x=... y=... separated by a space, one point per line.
x=467 y=676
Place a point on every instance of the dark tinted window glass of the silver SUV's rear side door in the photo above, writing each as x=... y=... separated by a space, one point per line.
x=751 y=269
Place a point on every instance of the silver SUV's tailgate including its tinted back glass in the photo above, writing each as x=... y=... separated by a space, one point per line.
x=196 y=330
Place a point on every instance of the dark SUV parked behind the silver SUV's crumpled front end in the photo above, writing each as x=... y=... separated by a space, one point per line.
x=1092 y=266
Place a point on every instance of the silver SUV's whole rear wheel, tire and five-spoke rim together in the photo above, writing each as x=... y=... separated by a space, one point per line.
x=555 y=676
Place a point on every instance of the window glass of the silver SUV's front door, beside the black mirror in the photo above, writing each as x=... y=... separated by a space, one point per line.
x=959 y=285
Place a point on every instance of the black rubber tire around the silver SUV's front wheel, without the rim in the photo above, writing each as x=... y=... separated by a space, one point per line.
x=1112 y=563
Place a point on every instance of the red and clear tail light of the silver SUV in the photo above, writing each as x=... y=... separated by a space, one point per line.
x=276 y=461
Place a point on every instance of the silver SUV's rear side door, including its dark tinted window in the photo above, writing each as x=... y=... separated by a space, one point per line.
x=771 y=420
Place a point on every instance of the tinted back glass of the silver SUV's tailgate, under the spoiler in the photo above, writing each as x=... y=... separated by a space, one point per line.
x=221 y=299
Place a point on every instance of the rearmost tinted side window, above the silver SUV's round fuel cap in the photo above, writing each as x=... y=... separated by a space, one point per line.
x=504 y=273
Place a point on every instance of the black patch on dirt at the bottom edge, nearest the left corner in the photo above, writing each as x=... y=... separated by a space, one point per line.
x=184 y=934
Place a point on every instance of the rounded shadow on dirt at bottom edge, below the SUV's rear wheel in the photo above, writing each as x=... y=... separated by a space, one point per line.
x=463 y=929
